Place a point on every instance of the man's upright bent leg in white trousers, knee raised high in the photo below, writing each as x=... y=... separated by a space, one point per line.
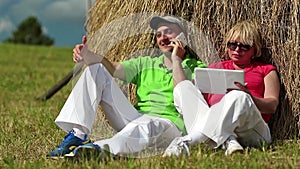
x=95 y=85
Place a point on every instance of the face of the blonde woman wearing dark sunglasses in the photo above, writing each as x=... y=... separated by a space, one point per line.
x=239 y=52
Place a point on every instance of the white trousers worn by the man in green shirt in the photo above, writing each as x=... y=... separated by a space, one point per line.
x=136 y=131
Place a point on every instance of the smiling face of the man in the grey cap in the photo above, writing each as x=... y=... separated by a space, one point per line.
x=164 y=33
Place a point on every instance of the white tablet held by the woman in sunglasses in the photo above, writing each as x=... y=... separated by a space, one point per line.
x=217 y=81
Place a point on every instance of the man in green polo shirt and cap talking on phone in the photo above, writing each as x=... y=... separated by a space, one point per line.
x=152 y=123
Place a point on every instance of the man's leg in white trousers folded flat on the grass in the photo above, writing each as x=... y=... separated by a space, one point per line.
x=149 y=133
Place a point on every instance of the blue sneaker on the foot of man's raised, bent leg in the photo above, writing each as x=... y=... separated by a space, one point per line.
x=69 y=143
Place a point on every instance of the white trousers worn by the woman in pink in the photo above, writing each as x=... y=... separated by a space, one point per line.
x=236 y=114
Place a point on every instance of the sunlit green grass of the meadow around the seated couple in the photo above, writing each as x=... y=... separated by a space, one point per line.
x=28 y=131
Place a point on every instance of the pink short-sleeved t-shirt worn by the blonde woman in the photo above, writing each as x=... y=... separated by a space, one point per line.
x=254 y=77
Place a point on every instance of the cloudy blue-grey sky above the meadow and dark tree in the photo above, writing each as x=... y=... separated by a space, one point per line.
x=62 y=20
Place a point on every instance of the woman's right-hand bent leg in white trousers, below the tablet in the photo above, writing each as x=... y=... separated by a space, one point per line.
x=236 y=115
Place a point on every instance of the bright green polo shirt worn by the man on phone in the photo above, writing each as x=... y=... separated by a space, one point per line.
x=155 y=86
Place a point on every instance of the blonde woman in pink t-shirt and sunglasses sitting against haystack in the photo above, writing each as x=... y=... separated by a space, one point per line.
x=239 y=118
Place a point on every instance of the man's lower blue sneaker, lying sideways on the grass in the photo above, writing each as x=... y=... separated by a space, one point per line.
x=89 y=150
